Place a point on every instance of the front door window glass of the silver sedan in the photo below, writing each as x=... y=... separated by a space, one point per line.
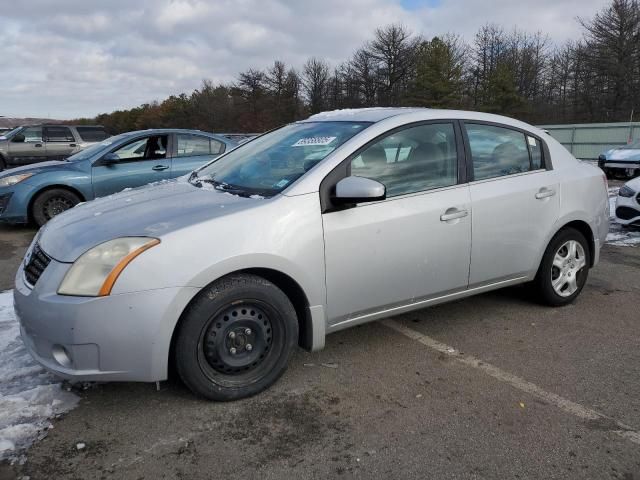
x=411 y=160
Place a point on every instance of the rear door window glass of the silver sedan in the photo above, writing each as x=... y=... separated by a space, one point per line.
x=497 y=151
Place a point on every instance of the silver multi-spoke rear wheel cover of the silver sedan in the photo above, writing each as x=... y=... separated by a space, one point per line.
x=568 y=264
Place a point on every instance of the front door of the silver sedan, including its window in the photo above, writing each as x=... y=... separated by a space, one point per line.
x=412 y=246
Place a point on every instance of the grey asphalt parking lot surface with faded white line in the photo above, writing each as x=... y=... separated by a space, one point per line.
x=494 y=386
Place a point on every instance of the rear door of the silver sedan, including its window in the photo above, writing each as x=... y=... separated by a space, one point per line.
x=515 y=202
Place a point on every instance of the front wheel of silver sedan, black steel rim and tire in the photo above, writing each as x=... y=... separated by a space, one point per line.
x=236 y=338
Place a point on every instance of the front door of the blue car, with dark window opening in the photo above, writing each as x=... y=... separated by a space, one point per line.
x=141 y=161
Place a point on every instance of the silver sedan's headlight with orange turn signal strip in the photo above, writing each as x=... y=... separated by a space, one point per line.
x=96 y=271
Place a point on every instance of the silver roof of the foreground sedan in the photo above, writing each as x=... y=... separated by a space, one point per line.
x=377 y=114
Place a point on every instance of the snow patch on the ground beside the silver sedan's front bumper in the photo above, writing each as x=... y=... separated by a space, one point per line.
x=29 y=396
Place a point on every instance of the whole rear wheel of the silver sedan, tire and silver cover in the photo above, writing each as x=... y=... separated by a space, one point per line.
x=564 y=268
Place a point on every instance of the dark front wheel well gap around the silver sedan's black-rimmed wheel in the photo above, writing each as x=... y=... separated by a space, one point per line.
x=291 y=289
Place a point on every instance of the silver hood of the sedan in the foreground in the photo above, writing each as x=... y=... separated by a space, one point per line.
x=150 y=211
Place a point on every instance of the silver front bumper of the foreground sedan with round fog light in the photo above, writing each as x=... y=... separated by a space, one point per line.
x=124 y=337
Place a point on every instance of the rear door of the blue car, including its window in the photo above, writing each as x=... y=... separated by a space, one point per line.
x=193 y=151
